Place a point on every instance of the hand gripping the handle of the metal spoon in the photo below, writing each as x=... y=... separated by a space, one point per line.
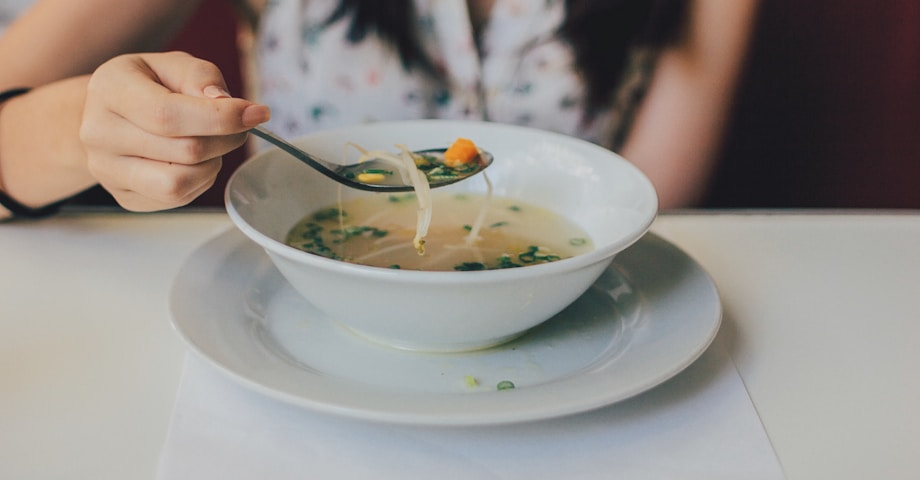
x=155 y=126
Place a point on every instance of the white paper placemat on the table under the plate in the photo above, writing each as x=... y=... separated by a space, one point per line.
x=699 y=425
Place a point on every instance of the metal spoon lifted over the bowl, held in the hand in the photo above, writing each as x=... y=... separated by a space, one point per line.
x=348 y=174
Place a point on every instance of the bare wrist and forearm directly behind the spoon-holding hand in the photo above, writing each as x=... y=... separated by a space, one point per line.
x=41 y=156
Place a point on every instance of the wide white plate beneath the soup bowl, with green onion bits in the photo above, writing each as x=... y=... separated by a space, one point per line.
x=651 y=314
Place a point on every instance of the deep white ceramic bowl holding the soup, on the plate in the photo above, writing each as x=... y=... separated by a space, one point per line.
x=448 y=311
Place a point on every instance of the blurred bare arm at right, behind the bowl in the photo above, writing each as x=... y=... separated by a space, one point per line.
x=679 y=129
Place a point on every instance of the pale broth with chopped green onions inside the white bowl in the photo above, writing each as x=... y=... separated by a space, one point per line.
x=378 y=231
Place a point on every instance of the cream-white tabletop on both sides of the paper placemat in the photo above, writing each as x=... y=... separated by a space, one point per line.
x=821 y=315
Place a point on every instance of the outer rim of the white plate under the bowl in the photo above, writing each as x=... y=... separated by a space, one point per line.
x=500 y=409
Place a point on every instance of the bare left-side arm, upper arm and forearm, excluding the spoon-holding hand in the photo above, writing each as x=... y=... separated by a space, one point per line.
x=41 y=156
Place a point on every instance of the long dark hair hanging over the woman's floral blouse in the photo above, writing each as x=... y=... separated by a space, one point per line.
x=600 y=32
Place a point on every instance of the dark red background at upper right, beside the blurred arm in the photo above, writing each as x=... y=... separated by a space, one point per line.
x=828 y=114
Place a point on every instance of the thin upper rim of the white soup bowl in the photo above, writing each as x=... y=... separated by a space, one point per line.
x=599 y=254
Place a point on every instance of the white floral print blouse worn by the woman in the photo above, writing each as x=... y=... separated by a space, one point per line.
x=521 y=72
